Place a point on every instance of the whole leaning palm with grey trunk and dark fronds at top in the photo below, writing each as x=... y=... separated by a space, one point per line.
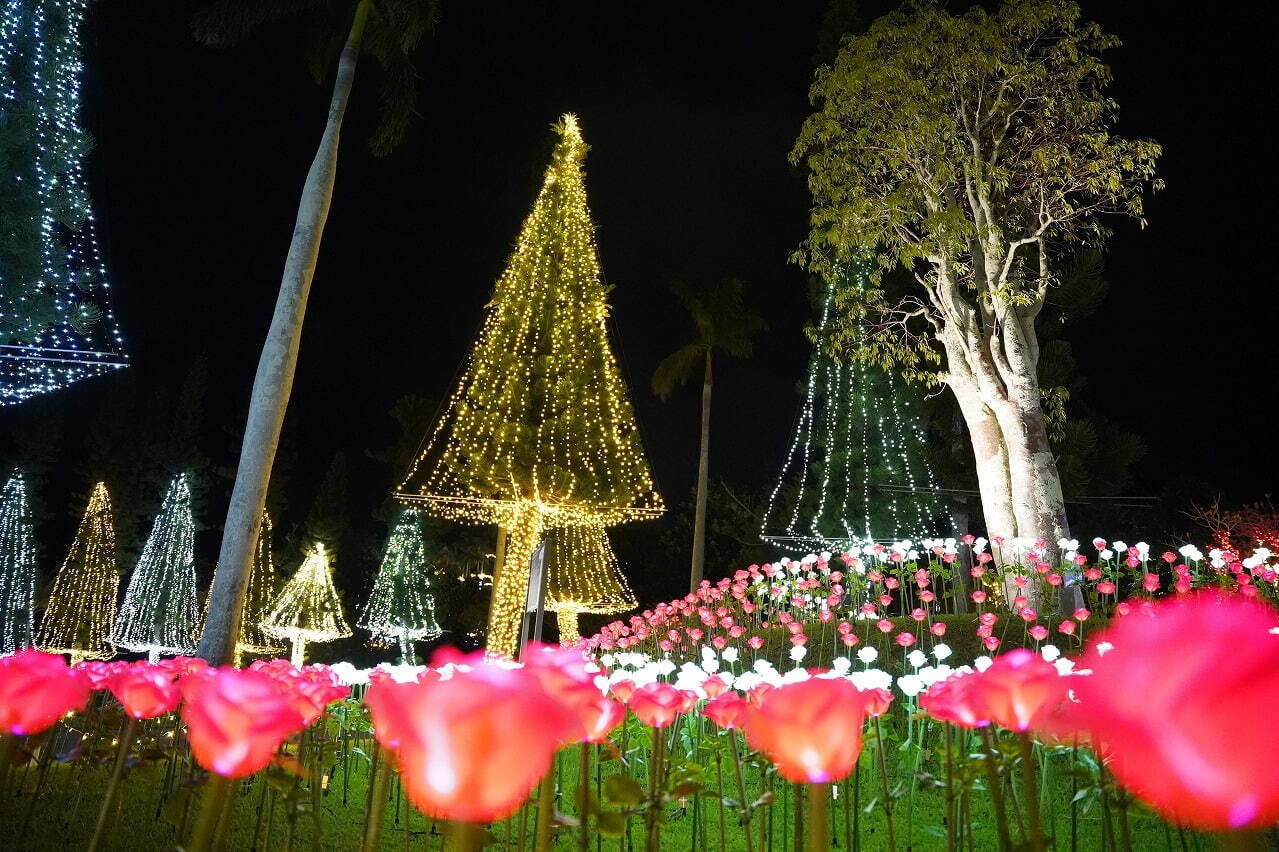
x=389 y=33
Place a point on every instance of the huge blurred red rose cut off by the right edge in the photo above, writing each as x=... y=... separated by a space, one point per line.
x=1175 y=699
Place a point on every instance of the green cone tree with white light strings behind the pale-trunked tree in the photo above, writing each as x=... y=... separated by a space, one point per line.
x=856 y=469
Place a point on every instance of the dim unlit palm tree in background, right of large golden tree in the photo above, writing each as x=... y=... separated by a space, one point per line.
x=725 y=326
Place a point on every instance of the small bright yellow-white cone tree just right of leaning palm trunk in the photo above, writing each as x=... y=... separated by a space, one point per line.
x=309 y=608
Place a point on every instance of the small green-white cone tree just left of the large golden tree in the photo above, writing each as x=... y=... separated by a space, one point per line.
x=401 y=608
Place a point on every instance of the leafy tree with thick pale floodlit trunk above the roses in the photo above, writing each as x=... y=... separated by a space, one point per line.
x=975 y=150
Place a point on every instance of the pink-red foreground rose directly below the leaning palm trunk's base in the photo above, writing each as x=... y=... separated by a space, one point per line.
x=237 y=720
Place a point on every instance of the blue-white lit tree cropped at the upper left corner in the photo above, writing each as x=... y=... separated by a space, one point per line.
x=56 y=323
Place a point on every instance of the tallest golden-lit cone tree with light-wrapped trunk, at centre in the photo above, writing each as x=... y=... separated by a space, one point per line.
x=539 y=432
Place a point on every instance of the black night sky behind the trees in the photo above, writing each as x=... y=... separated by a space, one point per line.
x=691 y=109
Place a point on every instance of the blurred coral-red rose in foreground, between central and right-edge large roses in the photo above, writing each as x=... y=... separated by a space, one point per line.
x=812 y=730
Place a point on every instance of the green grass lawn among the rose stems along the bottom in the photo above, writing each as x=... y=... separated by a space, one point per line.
x=277 y=810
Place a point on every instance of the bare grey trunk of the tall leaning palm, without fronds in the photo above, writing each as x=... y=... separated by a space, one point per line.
x=274 y=379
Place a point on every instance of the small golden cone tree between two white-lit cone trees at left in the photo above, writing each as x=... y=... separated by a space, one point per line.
x=81 y=611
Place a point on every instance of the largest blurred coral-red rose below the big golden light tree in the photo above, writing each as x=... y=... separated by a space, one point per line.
x=473 y=746
